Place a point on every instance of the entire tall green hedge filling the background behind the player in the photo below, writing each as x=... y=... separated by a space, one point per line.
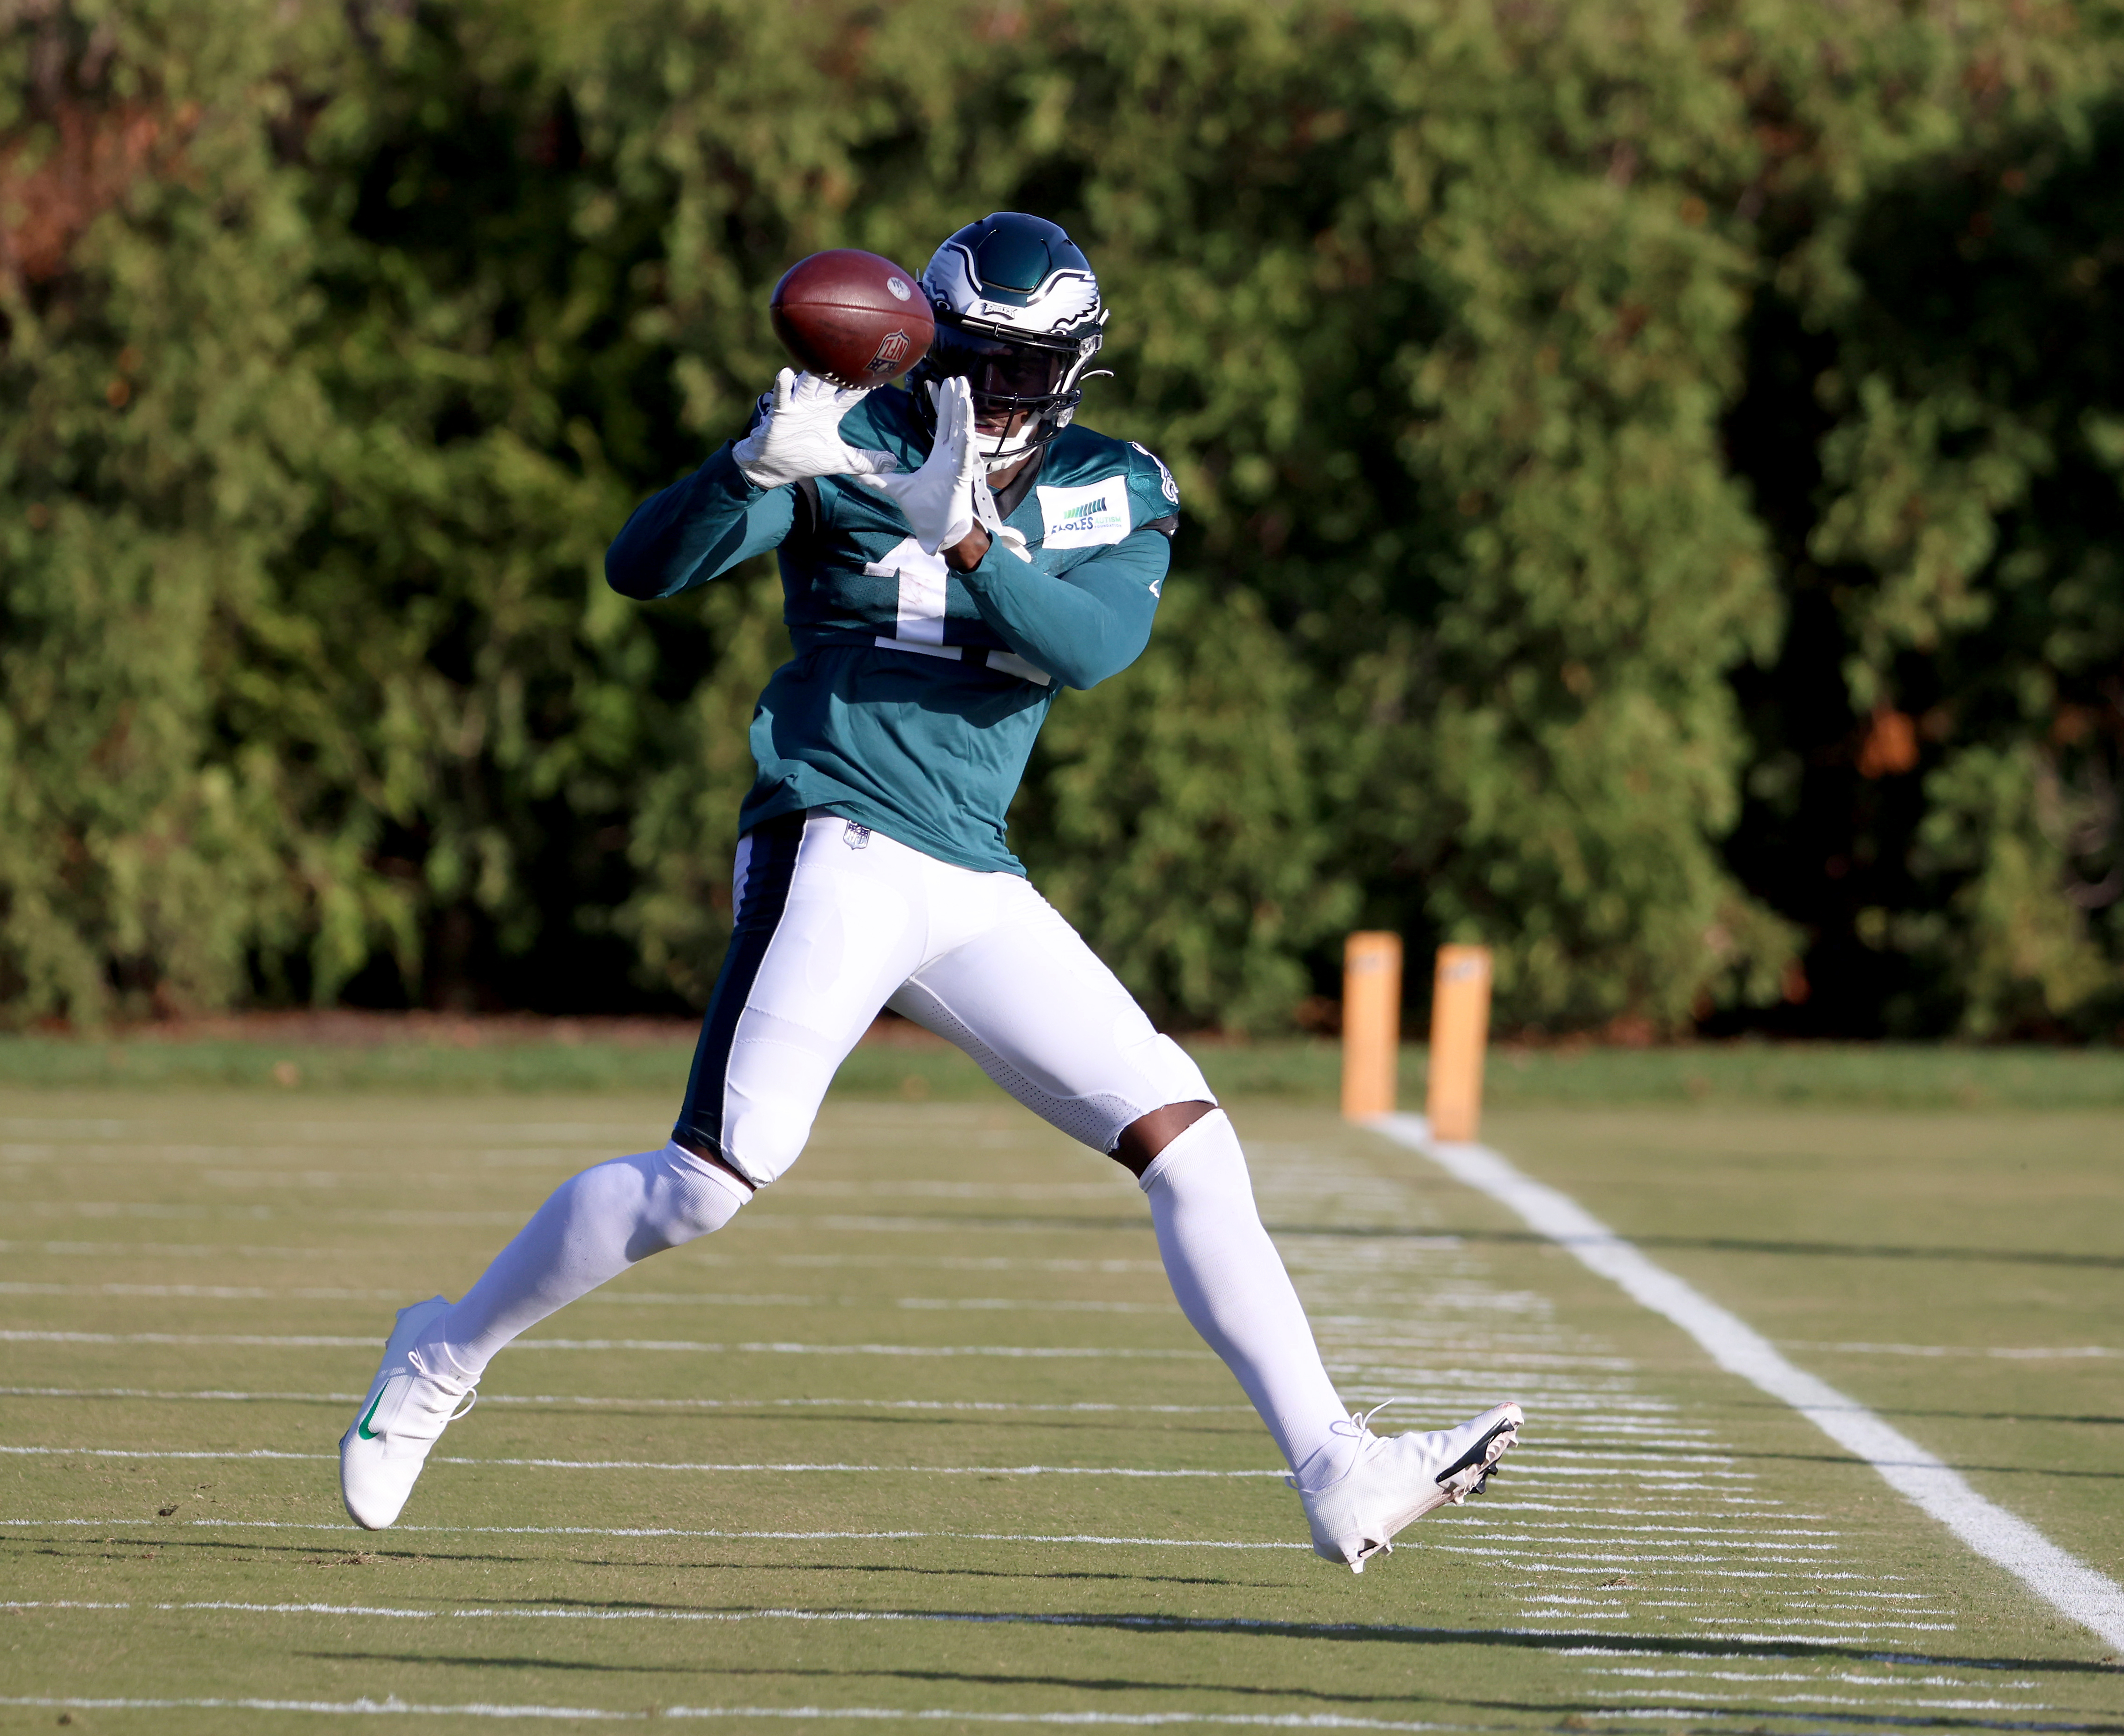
x=1611 y=436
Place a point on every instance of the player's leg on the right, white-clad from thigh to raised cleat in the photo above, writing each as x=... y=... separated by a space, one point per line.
x=1055 y=1026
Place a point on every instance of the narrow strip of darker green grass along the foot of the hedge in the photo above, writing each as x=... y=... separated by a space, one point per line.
x=1301 y=1071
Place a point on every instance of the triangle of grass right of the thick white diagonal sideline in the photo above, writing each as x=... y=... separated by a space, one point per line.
x=1959 y=1274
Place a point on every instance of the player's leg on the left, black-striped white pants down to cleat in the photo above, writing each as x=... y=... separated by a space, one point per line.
x=825 y=933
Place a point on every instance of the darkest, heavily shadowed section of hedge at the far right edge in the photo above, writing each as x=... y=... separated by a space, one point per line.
x=1942 y=740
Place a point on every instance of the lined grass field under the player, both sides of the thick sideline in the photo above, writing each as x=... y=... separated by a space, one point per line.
x=925 y=1436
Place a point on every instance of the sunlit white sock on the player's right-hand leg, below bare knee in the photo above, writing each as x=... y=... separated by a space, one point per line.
x=1235 y=1291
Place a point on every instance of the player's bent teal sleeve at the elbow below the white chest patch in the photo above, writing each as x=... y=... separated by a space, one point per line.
x=1089 y=623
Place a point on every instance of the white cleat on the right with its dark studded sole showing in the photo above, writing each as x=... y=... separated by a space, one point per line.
x=1397 y=1480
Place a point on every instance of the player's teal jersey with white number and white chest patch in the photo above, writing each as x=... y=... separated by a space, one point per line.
x=917 y=693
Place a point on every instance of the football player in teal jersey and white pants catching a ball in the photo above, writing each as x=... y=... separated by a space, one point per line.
x=955 y=557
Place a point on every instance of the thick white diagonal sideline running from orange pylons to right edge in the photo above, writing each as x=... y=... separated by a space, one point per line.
x=2057 y=1578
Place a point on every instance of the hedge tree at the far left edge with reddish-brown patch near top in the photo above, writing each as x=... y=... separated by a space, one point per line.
x=158 y=459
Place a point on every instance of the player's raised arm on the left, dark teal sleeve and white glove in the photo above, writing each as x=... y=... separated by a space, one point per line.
x=740 y=502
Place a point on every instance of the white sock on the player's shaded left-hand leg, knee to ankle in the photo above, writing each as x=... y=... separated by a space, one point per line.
x=589 y=1230
